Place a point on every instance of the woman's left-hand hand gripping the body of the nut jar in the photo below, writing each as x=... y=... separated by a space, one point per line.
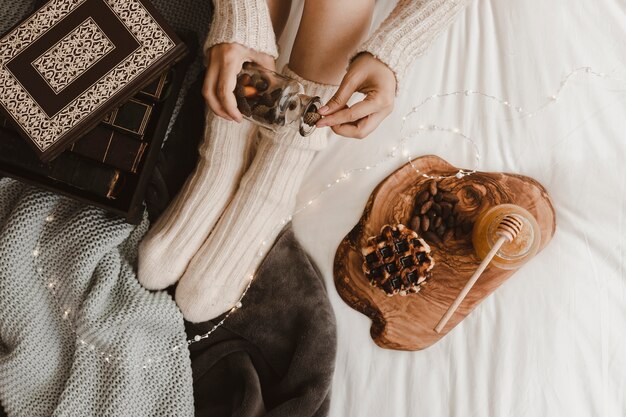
x=224 y=62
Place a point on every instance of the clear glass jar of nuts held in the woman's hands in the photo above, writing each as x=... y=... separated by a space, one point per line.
x=273 y=100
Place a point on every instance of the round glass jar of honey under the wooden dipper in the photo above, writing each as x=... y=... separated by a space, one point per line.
x=511 y=255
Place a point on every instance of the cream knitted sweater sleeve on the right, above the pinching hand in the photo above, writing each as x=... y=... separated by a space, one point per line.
x=409 y=30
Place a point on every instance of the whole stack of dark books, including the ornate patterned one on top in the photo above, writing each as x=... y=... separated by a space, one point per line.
x=87 y=89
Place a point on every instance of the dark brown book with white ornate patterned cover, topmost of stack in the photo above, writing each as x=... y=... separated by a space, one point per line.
x=71 y=62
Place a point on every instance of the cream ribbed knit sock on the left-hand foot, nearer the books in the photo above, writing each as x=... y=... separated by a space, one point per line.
x=173 y=240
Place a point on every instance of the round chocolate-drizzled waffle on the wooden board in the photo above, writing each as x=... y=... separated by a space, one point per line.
x=398 y=261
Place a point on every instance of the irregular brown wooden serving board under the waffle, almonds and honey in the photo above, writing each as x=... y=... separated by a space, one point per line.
x=407 y=323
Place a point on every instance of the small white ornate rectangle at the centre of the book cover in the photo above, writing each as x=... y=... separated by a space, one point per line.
x=69 y=58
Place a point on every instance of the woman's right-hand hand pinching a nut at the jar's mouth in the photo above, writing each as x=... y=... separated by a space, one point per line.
x=367 y=75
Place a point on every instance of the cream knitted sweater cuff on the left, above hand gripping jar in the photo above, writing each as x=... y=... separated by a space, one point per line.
x=246 y=22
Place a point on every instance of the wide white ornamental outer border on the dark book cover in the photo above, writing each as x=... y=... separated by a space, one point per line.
x=45 y=130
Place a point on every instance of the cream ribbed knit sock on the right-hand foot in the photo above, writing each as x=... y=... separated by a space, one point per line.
x=218 y=274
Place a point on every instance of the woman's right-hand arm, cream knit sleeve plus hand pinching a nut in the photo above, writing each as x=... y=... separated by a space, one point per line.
x=379 y=64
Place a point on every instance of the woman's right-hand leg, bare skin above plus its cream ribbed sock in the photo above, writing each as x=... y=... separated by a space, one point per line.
x=217 y=275
